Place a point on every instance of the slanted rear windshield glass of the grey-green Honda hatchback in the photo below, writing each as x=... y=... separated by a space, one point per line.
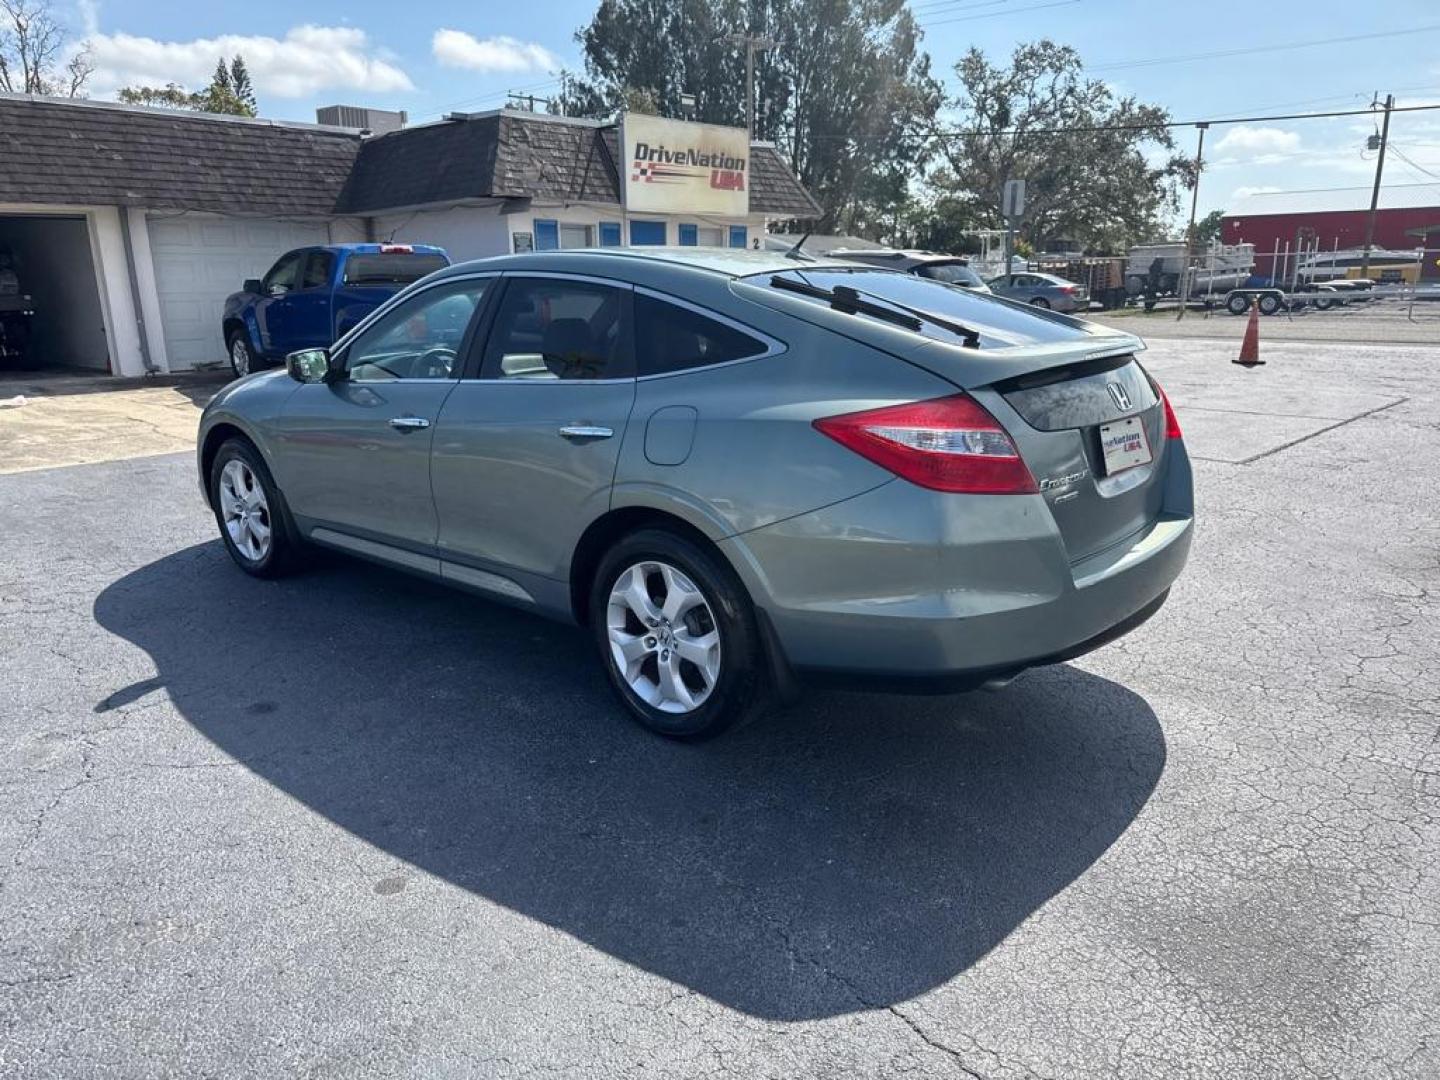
x=999 y=322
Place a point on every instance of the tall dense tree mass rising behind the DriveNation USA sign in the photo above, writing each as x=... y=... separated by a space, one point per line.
x=847 y=93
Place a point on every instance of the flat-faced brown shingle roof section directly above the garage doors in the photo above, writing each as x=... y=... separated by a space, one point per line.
x=61 y=152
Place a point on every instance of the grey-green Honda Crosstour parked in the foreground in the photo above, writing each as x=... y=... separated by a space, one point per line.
x=738 y=470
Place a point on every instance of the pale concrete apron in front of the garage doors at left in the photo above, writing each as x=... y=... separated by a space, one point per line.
x=51 y=421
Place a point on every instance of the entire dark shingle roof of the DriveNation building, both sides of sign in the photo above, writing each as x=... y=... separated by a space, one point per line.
x=84 y=153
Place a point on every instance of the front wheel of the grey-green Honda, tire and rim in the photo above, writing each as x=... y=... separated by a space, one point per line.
x=251 y=512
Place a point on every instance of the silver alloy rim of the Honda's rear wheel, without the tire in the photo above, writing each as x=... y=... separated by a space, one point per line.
x=665 y=637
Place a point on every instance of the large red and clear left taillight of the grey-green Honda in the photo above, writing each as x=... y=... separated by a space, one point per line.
x=945 y=444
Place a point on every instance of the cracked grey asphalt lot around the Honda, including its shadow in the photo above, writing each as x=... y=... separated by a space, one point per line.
x=354 y=824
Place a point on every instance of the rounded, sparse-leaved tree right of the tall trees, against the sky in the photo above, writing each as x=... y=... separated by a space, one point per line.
x=1036 y=120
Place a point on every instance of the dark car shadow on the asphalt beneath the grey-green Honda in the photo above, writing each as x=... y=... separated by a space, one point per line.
x=849 y=853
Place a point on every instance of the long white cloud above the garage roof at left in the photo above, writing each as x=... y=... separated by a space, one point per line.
x=306 y=61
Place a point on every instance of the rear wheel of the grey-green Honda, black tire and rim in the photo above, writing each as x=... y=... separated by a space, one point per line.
x=637 y=652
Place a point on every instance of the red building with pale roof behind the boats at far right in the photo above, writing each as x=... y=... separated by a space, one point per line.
x=1408 y=220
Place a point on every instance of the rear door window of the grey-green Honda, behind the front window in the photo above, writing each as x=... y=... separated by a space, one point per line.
x=557 y=329
